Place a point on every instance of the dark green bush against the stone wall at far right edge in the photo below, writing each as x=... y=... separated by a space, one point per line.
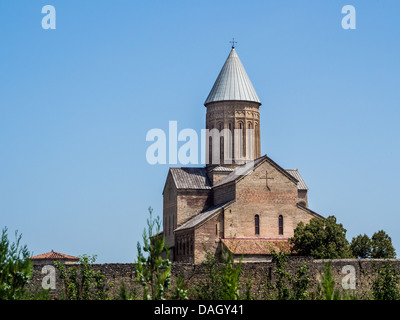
x=386 y=283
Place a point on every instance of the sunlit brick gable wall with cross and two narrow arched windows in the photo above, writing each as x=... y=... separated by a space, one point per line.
x=268 y=193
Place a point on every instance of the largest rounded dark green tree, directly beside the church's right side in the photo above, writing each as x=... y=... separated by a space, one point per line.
x=321 y=239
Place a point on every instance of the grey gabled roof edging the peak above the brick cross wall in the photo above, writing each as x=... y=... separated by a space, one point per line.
x=245 y=169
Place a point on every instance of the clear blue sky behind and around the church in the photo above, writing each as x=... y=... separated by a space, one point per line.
x=76 y=104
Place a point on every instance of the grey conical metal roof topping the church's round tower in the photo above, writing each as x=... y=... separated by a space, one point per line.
x=232 y=83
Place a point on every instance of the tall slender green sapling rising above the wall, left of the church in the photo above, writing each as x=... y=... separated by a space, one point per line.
x=152 y=270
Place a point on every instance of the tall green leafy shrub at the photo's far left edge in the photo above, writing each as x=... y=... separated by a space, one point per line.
x=15 y=267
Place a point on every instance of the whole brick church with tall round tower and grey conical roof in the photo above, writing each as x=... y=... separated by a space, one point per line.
x=240 y=199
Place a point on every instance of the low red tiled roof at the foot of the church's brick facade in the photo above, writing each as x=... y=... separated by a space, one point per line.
x=256 y=245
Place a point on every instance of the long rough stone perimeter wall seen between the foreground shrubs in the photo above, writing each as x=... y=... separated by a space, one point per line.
x=260 y=273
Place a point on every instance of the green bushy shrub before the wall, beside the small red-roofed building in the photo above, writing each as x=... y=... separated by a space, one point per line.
x=83 y=283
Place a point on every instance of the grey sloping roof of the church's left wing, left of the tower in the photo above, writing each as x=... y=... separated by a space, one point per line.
x=190 y=178
